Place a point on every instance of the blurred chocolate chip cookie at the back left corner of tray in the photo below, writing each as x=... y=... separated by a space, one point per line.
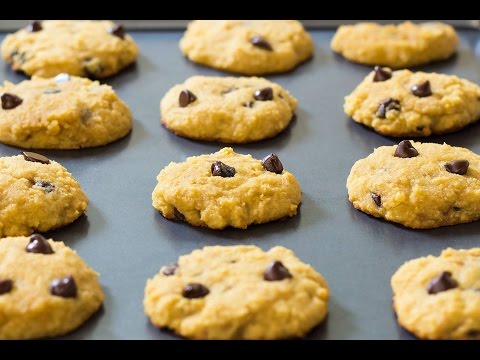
x=95 y=49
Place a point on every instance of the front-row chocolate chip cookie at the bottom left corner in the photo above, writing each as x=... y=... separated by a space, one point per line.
x=48 y=290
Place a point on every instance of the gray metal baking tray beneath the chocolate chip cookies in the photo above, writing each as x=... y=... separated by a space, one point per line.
x=127 y=241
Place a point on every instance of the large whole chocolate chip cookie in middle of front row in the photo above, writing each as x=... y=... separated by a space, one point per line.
x=237 y=292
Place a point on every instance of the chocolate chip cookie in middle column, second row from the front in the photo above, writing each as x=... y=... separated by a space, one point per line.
x=226 y=189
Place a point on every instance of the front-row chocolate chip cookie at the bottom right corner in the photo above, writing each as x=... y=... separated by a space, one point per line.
x=439 y=297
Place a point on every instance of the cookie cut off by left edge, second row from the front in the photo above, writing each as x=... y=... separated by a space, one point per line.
x=37 y=194
